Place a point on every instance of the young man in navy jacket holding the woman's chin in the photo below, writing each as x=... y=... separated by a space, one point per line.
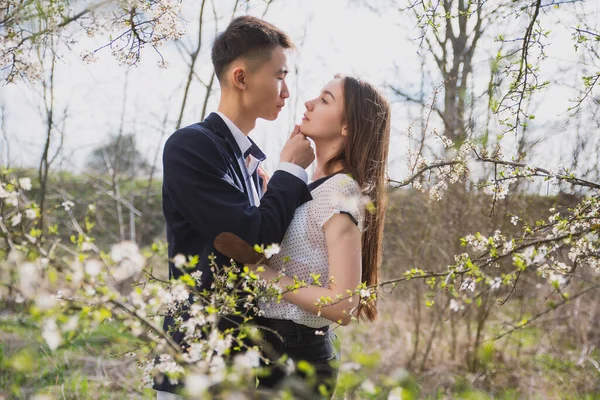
x=211 y=182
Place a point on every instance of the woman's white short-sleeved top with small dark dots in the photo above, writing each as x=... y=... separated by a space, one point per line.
x=303 y=250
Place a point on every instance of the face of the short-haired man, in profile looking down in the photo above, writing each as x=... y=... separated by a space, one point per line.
x=266 y=89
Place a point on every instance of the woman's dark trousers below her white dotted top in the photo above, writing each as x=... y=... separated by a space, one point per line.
x=315 y=356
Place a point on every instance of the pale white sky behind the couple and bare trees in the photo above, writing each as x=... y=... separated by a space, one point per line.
x=345 y=36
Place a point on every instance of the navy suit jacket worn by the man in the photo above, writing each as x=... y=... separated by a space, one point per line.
x=206 y=191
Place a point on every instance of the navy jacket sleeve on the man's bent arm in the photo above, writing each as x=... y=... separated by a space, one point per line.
x=197 y=182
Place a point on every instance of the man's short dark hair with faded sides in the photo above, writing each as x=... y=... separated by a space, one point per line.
x=247 y=37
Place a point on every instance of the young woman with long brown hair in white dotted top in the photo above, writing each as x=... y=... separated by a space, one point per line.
x=333 y=238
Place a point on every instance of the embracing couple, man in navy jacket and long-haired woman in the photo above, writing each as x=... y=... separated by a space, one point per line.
x=213 y=183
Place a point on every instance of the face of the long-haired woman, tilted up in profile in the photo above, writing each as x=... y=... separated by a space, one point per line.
x=323 y=117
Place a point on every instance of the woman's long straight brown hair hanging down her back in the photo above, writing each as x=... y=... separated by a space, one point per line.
x=364 y=155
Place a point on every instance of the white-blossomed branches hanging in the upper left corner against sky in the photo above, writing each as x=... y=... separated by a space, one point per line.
x=132 y=24
